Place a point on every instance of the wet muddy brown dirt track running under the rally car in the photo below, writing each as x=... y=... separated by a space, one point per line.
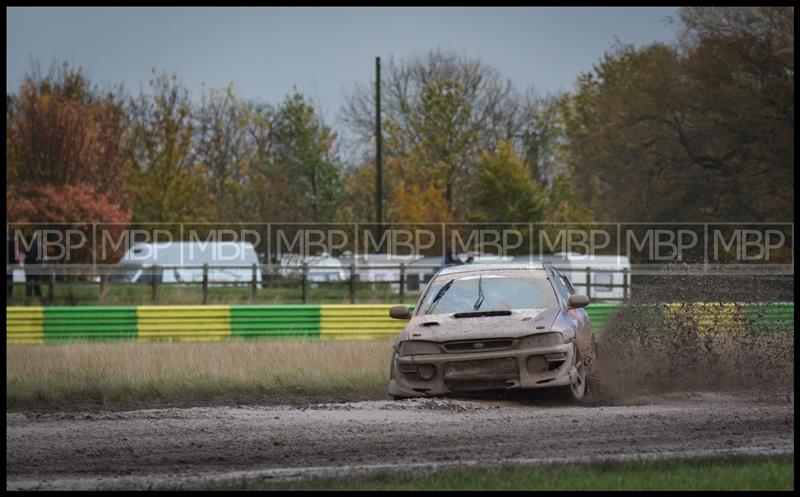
x=146 y=448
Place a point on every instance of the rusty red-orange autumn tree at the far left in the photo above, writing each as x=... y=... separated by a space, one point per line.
x=63 y=155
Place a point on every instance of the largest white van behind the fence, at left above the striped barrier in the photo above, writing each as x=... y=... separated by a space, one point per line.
x=182 y=263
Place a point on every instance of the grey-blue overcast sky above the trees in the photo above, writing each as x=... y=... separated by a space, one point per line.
x=264 y=52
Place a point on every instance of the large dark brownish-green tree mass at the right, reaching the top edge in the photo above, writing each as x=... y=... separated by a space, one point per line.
x=703 y=130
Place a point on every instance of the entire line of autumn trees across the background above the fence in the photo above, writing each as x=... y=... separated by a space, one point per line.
x=699 y=130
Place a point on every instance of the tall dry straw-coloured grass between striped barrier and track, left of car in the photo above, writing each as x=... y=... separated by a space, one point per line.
x=131 y=373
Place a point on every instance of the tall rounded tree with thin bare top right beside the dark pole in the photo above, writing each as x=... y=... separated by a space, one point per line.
x=440 y=109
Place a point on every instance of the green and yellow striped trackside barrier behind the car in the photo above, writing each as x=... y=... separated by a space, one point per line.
x=222 y=322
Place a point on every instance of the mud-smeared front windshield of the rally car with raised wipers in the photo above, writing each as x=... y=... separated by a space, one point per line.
x=488 y=291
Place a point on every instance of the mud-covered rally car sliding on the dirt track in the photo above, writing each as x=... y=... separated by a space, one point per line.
x=487 y=327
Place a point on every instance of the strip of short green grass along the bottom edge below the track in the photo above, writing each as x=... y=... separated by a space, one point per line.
x=716 y=473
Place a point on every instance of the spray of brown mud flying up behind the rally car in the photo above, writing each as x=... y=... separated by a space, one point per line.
x=711 y=336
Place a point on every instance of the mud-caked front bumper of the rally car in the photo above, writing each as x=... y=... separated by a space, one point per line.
x=534 y=367
